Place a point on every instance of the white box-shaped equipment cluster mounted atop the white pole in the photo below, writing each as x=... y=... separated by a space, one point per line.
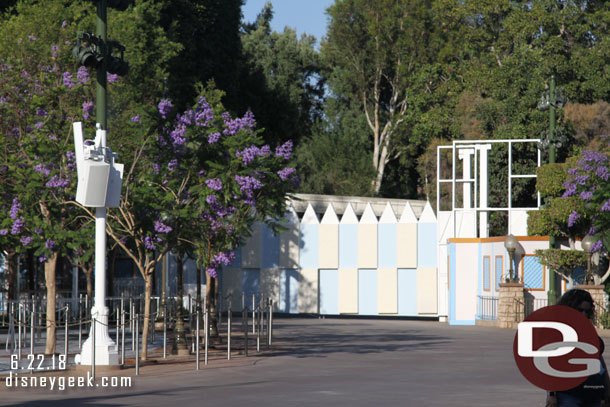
x=99 y=177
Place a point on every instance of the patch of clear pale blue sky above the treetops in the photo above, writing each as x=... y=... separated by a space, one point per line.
x=305 y=16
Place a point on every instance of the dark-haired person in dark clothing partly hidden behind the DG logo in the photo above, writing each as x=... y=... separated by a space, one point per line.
x=595 y=391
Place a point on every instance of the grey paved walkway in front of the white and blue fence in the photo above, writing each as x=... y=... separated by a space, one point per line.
x=321 y=362
